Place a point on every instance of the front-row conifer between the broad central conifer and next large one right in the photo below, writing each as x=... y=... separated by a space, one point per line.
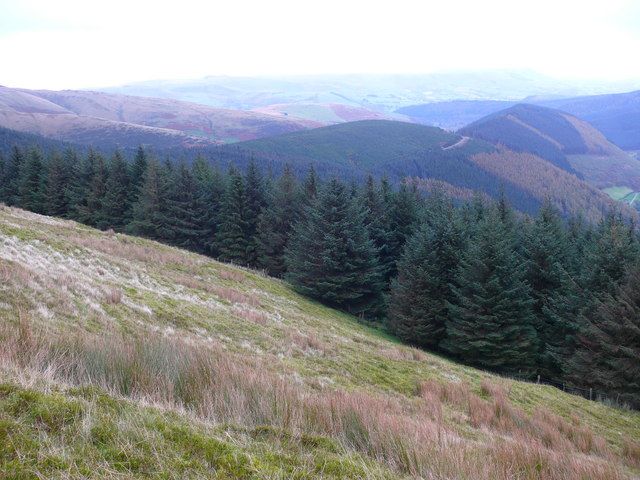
x=418 y=310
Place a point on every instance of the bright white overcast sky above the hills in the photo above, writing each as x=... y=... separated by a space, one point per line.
x=90 y=44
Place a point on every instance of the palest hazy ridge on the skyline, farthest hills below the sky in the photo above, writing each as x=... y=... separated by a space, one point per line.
x=384 y=93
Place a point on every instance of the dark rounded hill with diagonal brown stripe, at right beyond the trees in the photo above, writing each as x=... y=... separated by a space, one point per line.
x=564 y=140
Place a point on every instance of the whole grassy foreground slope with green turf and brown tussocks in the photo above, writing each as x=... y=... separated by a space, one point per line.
x=229 y=354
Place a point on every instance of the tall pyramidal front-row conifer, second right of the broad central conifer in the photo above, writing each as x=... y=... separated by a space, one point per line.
x=490 y=318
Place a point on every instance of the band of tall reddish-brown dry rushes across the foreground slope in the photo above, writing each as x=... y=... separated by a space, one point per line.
x=409 y=436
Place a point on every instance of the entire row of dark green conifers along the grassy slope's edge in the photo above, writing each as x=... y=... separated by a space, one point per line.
x=545 y=295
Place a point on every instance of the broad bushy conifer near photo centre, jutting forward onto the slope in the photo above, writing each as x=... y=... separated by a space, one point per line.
x=330 y=256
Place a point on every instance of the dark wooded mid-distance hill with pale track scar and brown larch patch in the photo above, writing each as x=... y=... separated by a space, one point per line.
x=398 y=150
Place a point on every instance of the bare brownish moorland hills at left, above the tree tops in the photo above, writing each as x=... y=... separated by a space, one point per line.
x=111 y=120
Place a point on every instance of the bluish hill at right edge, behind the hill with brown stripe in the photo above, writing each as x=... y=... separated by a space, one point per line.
x=617 y=116
